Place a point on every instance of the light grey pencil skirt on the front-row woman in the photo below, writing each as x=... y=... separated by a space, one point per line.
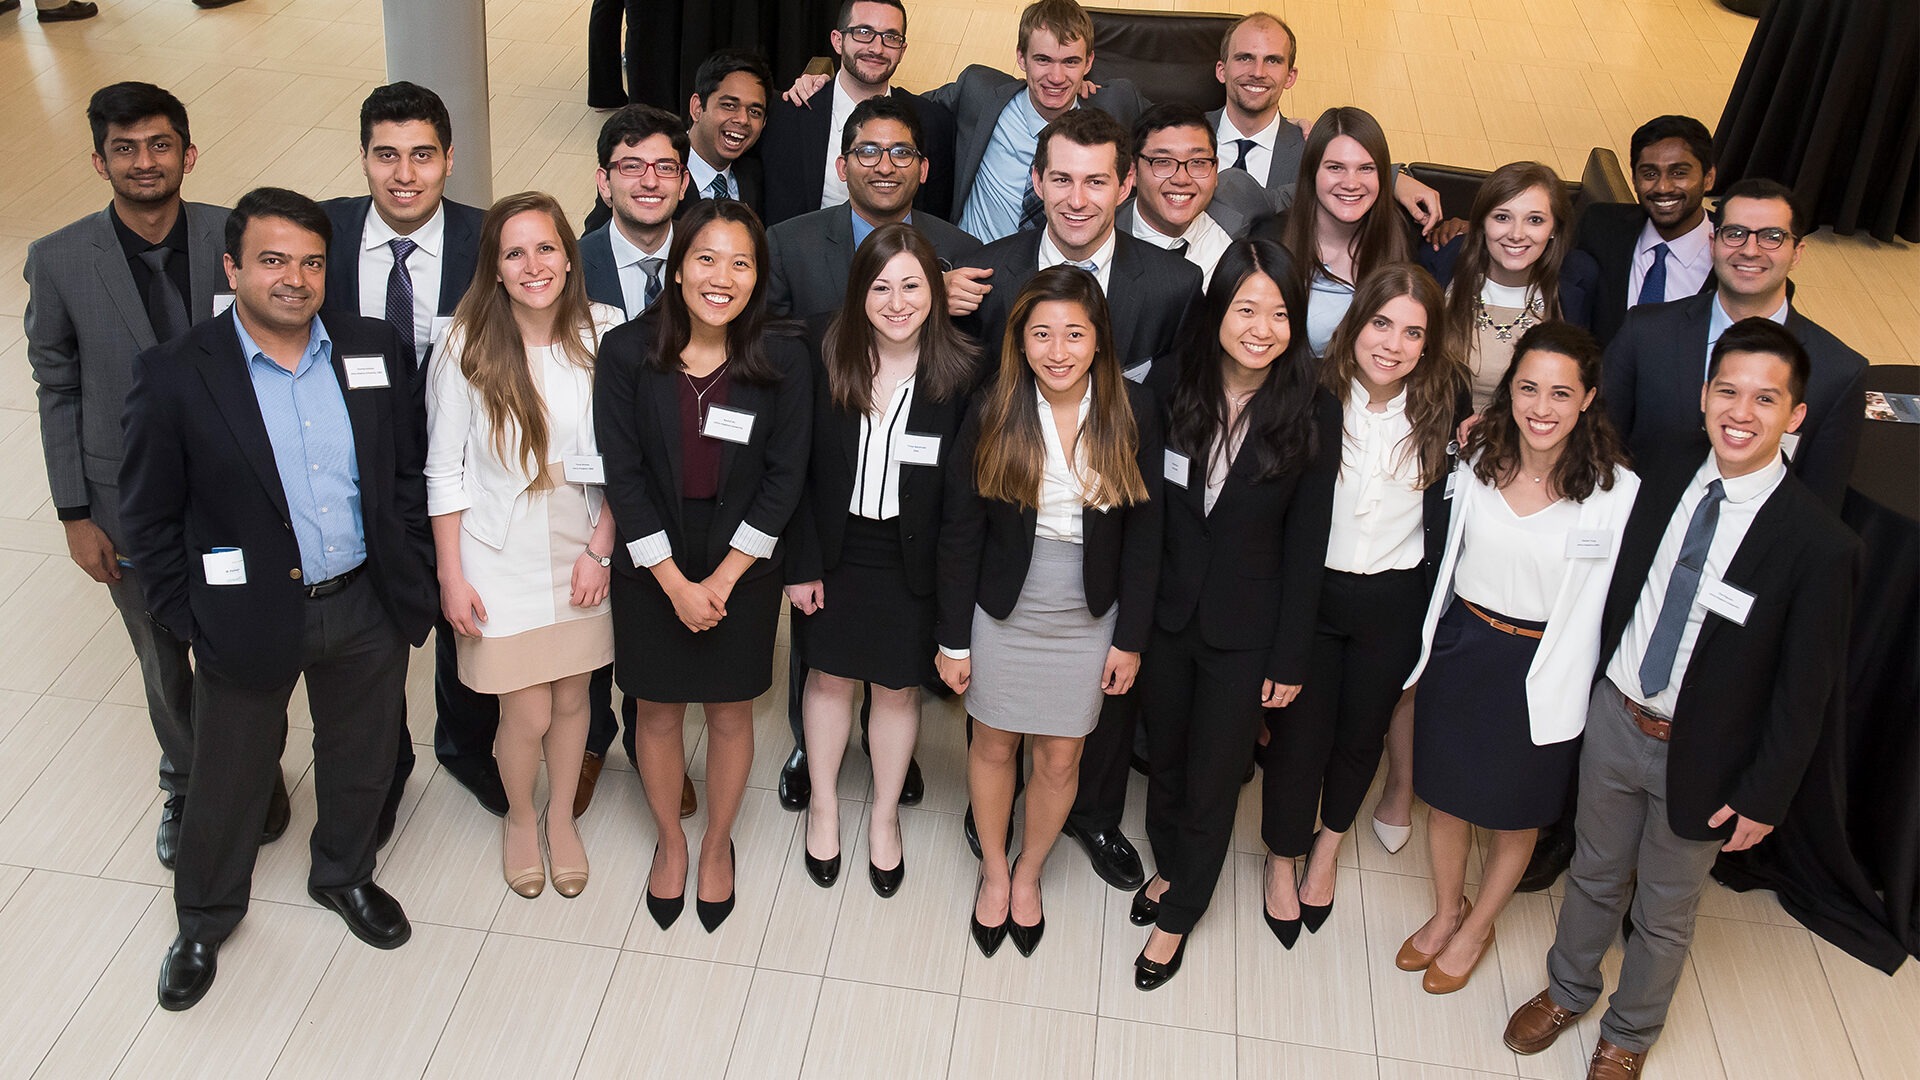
x=1038 y=672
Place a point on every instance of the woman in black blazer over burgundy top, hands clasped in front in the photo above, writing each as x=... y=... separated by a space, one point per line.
x=704 y=422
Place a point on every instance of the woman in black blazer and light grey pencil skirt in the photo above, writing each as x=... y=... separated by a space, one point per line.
x=1047 y=566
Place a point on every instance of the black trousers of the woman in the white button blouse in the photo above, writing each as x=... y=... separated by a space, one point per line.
x=1328 y=745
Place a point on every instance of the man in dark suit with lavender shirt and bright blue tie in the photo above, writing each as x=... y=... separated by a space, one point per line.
x=1660 y=249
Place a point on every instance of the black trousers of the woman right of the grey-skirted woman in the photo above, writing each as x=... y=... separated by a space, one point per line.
x=1203 y=720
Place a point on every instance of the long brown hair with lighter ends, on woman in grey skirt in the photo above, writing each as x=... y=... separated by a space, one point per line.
x=1013 y=456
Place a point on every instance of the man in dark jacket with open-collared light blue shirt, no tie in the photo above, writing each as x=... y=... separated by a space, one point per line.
x=276 y=506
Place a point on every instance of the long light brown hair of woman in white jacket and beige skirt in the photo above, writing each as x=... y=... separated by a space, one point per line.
x=494 y=356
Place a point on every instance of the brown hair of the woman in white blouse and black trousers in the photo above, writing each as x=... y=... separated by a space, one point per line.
x=1437 y=381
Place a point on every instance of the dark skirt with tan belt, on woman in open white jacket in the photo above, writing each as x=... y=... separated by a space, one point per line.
x=1474 y=749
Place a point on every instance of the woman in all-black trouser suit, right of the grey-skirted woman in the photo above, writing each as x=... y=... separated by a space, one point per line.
x=1253 y=447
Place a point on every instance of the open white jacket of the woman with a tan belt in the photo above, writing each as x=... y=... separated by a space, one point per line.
x=1560 y=683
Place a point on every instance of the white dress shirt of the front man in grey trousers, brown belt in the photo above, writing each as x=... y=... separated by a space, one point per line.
x=1744 y=501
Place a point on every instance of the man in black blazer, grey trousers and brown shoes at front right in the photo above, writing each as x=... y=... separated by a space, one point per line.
x=1727 y=643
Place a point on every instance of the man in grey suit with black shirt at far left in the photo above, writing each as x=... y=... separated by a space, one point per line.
x=103 y=289
